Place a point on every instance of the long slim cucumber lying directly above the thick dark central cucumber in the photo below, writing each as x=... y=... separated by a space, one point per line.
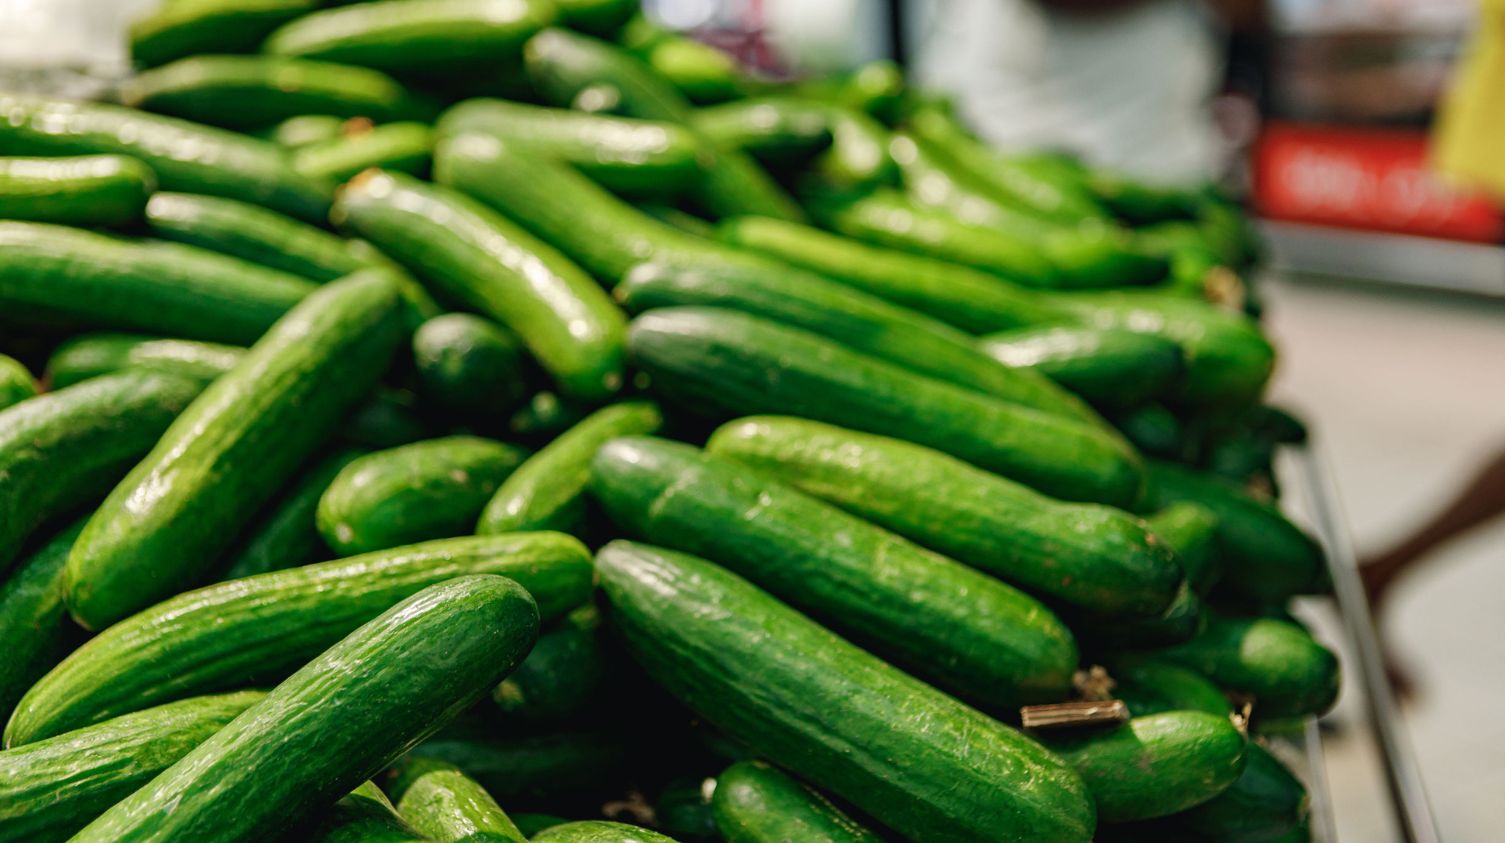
x=850 y=317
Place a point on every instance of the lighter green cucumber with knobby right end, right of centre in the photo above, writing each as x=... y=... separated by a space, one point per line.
x=1093 y=558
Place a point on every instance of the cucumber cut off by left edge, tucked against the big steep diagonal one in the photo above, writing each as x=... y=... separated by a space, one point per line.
x=64 y=449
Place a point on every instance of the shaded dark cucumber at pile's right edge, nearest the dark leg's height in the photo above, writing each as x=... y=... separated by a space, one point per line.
x=1265 y=555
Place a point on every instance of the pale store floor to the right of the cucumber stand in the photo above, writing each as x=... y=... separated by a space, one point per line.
x=1408 y=395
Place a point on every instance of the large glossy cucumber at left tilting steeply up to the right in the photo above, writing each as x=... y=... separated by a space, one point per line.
x=162 y=529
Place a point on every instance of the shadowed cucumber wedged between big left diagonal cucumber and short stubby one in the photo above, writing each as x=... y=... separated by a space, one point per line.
x=285 y=534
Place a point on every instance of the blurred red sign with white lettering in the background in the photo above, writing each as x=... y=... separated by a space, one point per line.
x=1357 y=178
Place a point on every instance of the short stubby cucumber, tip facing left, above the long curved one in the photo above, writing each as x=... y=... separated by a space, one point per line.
x=430 y=490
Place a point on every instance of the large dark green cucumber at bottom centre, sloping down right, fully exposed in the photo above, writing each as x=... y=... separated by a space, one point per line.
x=937 y=770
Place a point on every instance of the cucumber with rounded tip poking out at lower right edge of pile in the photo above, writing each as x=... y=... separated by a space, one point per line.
x=1275 y=662
